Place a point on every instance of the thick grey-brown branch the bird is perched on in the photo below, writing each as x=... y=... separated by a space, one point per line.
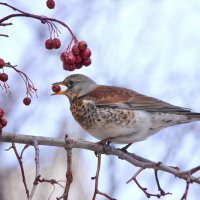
x=129 y=157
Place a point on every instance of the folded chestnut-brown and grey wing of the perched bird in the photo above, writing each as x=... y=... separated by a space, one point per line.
x=122 y=98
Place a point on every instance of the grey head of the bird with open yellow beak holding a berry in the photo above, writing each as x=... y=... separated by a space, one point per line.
x=77 y=85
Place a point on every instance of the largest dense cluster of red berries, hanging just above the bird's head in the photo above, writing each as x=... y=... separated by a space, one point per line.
x=76 y=58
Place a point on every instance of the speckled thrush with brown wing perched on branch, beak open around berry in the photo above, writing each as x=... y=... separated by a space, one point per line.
x=119 y=115
